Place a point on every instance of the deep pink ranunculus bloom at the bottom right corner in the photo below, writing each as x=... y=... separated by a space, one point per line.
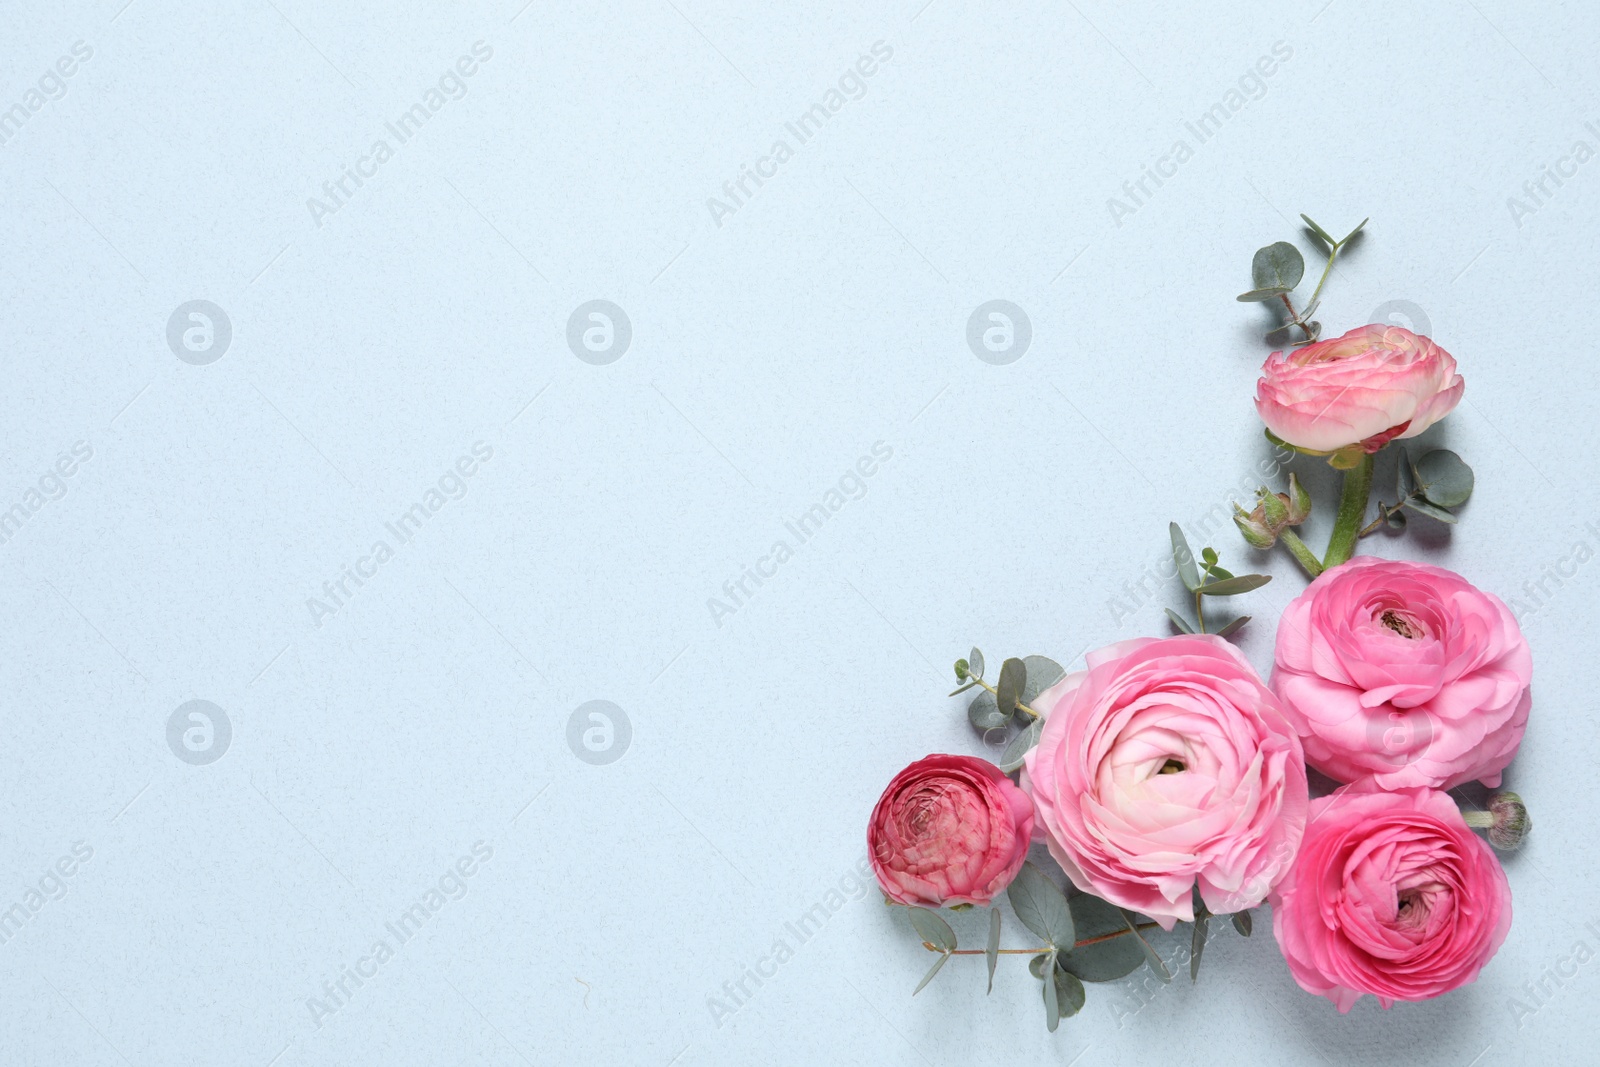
x=1391 y=895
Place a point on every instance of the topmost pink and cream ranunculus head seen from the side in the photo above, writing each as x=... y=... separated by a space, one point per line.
x=1369 y=388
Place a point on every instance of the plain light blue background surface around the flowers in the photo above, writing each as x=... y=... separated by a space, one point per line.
x=430 y=313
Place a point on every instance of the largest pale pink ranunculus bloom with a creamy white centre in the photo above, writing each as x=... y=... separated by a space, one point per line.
x=1169 y=762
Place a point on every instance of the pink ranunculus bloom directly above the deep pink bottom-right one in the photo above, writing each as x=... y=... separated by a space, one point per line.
x=1406 y=674
